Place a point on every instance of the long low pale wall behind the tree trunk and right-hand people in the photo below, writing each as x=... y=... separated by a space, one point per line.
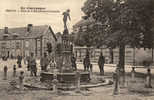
x=130 y=56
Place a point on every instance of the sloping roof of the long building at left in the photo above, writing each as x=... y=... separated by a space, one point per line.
x=21 y=32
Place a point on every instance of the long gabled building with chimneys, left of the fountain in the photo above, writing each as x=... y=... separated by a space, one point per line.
x=24 y=40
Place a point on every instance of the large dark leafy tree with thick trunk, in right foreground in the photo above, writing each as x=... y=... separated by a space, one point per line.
x=123 y=23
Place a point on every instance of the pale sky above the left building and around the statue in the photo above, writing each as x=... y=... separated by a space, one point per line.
x=21 y=19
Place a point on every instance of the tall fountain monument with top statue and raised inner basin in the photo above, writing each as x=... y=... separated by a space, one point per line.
x=65 y=72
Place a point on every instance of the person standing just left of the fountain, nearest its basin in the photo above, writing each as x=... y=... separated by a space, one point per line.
x=44 y=62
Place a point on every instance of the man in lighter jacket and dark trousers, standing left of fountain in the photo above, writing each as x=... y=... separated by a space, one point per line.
x=32 y=64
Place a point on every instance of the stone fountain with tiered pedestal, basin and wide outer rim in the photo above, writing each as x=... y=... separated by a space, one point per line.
x=61 y=73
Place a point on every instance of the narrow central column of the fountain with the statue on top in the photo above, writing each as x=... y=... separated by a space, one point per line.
x=66 y=46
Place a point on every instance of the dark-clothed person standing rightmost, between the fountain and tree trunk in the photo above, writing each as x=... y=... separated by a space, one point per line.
x=101 y=62
